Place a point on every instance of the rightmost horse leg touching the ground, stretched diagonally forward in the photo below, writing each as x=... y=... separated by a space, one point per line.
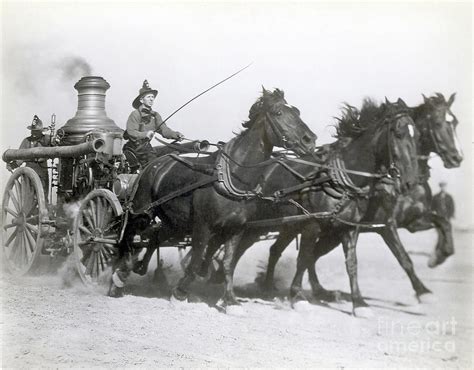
x=392 y=239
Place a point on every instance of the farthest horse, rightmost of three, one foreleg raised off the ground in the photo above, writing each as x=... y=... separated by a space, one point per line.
x=412 y=211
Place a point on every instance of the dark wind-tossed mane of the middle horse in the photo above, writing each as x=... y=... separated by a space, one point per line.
x=353 y=122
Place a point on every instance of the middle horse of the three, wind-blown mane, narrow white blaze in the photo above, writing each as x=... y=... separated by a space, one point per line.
x=358 y=165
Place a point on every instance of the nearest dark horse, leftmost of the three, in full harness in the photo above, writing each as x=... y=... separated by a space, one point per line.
x=190 y=196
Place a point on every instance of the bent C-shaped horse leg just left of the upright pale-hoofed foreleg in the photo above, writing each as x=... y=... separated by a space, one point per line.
x=321 y=248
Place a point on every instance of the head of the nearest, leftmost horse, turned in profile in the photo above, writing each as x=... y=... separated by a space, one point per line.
x=283 y=125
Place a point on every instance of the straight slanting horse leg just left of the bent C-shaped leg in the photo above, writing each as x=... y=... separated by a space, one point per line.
x=305 y=258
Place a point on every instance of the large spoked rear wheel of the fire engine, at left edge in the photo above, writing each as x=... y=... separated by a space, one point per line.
x=23 y=215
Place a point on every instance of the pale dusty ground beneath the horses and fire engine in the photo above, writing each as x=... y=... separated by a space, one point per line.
x=51 y=321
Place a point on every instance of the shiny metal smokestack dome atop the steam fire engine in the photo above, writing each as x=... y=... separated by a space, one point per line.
x=90 y=113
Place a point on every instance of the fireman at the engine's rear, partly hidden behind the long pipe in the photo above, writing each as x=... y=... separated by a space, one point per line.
x=36 y=139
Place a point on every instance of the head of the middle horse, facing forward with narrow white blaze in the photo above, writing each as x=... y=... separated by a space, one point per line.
x=396 y=145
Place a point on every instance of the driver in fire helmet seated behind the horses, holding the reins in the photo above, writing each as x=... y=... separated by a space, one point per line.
x=142 y=124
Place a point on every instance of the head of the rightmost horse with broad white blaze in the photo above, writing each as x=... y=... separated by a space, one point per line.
x=437 y=125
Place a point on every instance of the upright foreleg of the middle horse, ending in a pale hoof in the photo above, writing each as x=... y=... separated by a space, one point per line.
x=349 y=243
